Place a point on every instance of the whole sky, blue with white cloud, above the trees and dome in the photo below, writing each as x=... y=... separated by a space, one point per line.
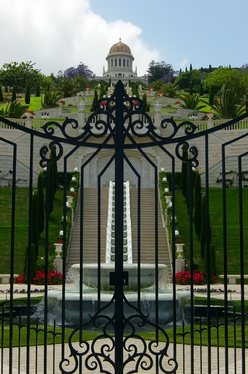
x=58 y=34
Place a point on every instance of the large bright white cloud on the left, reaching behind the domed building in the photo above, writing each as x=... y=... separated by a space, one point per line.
x=57 y=34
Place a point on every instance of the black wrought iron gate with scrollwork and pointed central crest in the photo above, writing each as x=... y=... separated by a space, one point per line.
x=127 y=314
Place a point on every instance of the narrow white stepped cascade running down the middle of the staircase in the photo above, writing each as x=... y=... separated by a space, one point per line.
x=110 y=230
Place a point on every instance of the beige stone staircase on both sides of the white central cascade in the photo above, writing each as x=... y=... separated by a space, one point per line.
x=90 y=232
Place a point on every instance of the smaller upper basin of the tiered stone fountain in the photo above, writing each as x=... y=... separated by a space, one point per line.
x=90 y=275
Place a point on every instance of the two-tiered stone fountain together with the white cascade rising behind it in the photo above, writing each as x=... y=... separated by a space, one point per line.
x=142 y=277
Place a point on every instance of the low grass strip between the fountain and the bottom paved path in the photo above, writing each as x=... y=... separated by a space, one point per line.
x=183 y=335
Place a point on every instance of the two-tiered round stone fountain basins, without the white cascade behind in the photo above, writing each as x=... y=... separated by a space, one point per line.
x=90 y=295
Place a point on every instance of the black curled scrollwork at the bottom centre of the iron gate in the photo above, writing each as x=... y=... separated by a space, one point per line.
x=139 y=356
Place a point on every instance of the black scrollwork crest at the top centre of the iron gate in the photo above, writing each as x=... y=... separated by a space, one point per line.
x=104 y=120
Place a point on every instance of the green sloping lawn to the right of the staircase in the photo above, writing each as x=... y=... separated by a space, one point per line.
x=217 y=233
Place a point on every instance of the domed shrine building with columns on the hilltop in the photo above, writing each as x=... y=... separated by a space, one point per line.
x=120 y=65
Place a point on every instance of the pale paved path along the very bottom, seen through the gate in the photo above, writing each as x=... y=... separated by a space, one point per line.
x=54 y=354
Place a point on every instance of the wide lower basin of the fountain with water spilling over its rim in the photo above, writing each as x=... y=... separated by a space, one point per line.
x=89 y=300
